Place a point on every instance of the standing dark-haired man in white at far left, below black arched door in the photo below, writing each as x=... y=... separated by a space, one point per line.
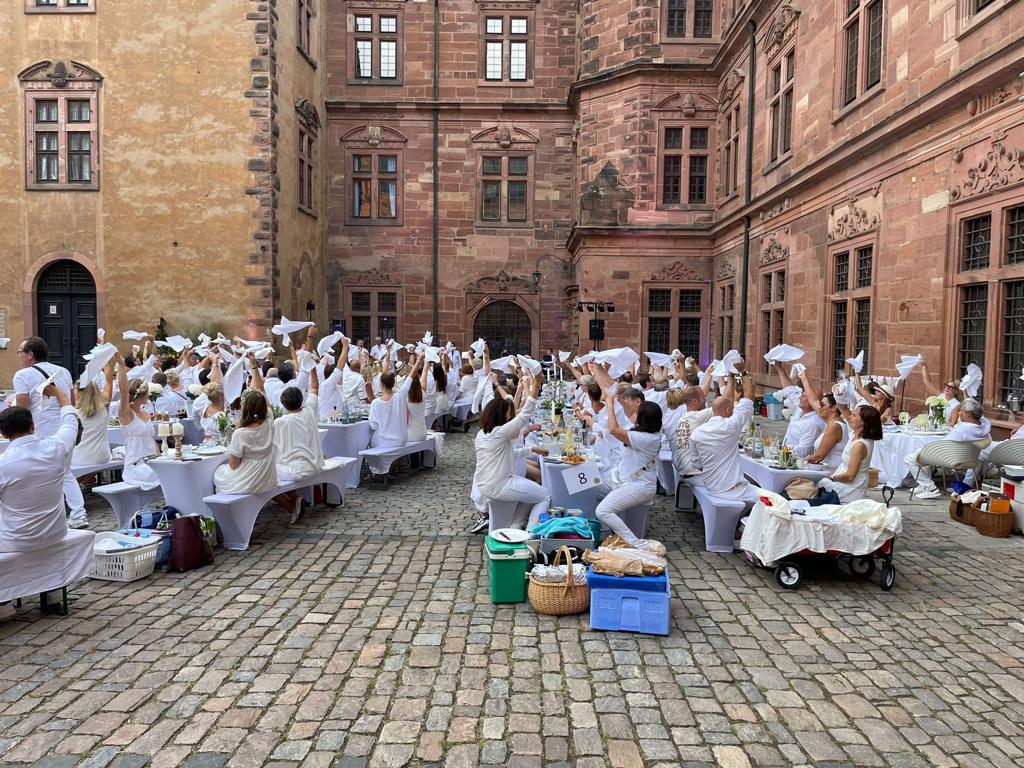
x=33 y=355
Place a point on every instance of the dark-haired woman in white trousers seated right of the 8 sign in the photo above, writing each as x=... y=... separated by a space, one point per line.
x=633 y=482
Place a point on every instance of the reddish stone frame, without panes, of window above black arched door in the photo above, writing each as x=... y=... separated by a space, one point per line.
x=49 y=81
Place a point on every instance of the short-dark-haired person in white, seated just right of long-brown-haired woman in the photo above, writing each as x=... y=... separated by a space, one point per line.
x=296 y=437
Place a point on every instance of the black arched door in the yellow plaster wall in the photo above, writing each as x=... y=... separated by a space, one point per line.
x=66 y=313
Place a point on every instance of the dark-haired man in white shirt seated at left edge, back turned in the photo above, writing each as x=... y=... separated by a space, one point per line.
x=32 y=476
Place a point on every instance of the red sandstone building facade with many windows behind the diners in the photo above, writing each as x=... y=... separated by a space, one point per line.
x=852 y=174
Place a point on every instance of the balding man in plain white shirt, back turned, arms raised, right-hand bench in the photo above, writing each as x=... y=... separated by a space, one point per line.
x=716 y=448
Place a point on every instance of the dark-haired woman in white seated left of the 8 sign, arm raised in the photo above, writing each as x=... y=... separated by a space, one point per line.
x=496 y=458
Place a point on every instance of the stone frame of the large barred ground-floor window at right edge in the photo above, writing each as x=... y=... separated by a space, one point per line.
x=996 y=278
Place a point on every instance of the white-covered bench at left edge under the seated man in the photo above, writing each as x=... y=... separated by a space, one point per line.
x=42 y=571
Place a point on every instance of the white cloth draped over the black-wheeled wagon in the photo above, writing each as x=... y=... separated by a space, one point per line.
x=774 y=533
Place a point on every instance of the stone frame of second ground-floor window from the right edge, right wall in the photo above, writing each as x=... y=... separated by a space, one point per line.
x=849 y=297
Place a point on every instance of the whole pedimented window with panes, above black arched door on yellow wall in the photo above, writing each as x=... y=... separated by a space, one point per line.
x=62 y=124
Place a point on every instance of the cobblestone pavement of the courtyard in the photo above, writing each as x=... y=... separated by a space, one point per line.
x=365 y=636
